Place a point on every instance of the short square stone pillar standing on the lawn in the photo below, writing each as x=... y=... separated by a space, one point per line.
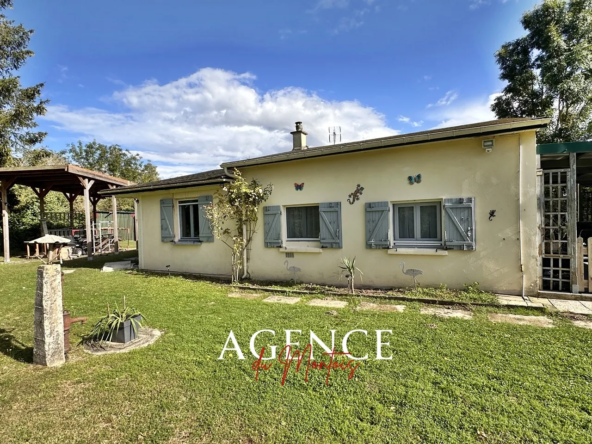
x=48 y=335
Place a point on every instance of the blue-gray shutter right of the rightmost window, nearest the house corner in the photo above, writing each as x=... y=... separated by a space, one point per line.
x=459 y=225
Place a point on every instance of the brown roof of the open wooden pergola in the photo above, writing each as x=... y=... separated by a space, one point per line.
x=60 y=178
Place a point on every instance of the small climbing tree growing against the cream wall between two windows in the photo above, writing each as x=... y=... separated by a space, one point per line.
x=234 y=214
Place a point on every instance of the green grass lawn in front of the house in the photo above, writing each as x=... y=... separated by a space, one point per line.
x=463 y=381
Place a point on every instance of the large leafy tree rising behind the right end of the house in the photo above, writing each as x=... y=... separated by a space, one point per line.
x=549 y=70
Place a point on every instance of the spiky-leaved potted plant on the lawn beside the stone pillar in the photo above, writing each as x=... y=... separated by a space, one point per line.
x=117 y=326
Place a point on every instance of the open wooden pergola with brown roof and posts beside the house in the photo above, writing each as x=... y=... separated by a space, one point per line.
x=70 y=180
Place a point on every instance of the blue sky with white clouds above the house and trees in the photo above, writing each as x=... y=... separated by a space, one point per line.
x=191 y=84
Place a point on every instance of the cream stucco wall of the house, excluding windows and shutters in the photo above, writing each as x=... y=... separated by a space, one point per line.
x=459 y=168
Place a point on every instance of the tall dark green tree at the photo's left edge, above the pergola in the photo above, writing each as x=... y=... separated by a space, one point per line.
x=18 y=106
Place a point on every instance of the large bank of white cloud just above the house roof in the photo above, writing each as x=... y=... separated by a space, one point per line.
x=213 y=116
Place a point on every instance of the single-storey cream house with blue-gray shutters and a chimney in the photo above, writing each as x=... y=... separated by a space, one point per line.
x=462 y=204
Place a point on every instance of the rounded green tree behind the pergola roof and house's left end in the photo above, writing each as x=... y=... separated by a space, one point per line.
x=112 y=160
